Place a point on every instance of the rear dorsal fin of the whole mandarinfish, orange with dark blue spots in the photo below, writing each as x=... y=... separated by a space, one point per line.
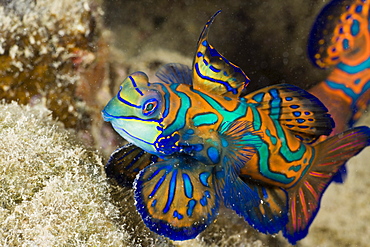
x=296 y=109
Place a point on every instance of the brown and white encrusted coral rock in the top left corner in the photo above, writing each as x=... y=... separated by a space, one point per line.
x=42 y=45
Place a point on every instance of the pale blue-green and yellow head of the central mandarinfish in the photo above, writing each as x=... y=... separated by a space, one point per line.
x=136 y=112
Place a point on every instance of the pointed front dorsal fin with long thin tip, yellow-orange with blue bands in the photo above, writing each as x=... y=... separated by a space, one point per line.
x=212 y=72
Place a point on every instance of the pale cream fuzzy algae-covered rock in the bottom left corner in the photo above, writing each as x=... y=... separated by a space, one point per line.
x=52 y=190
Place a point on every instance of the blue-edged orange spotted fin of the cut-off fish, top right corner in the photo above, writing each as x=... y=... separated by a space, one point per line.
x=340 y=33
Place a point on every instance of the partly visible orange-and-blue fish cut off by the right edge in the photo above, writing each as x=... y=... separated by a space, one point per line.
x=340 y=38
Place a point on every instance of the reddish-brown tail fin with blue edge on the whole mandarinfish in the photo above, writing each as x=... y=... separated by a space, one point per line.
x=304 y=199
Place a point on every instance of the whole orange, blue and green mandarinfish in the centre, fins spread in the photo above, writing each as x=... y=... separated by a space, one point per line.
x=197 y=143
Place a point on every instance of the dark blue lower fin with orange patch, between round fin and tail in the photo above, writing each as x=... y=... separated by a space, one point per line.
x=262 y=206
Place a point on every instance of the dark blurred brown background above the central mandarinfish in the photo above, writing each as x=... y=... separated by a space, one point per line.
x=267 y=39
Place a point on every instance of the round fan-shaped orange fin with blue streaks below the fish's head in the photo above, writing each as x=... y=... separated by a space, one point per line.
x=177 y=198
